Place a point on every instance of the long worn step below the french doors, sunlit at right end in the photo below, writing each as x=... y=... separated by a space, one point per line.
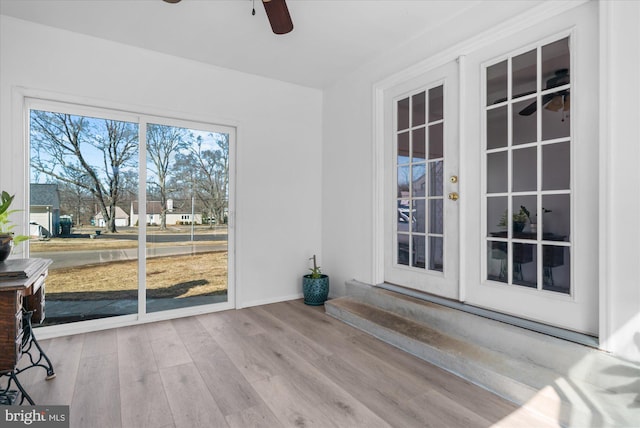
x=573 y=384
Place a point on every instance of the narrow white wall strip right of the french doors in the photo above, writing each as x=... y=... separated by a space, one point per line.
x=620 y=156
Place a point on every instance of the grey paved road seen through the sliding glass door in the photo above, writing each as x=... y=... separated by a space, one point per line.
x=78 y=258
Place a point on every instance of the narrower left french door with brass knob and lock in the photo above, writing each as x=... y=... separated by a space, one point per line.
x=421 y=182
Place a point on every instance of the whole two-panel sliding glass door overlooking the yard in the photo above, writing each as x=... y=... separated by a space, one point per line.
x=132 y=212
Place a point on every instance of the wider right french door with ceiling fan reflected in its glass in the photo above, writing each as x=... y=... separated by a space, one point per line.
x=533 y=206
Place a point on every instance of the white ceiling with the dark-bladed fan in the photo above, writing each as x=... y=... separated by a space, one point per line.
x=330 y=37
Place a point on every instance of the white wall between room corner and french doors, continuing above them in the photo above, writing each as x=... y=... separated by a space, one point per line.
x=348 y=146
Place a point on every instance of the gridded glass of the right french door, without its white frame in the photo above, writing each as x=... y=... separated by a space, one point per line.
x=528 y=168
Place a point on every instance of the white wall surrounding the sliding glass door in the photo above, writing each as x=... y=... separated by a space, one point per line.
x=279 y=130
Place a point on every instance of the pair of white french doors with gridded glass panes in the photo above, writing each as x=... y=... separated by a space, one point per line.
x=528 y=165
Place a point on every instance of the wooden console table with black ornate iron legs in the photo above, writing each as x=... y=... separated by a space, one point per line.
x=22 y=302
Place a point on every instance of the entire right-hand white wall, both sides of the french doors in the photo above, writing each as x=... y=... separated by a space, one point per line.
x=349 y=164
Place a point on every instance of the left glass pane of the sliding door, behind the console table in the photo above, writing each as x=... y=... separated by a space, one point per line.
x=84 y=176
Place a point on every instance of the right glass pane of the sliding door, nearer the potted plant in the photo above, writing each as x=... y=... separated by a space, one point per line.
x=186 y=216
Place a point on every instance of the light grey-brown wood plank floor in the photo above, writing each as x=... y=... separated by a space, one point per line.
x=284 y=364
